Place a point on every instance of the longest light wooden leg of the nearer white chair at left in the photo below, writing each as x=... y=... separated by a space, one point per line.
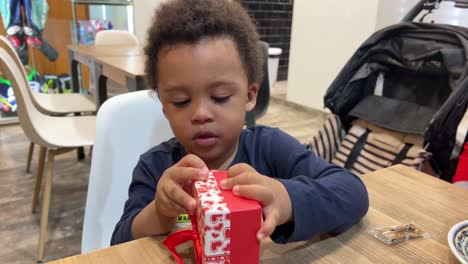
x=45 y=204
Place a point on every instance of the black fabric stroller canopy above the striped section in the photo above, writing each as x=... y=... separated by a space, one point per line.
x=412 y=78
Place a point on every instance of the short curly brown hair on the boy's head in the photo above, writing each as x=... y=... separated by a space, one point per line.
x=188 y=21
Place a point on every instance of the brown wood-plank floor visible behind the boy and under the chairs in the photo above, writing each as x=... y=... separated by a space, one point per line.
x=19 y=227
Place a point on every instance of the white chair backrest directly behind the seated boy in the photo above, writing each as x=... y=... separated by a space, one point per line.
x=127 y=125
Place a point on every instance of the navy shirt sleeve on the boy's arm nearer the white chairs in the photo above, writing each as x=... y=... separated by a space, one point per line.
x=141 y=192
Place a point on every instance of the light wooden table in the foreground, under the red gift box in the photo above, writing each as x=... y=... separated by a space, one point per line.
x=398 y=195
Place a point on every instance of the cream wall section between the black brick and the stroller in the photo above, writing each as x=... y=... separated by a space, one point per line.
x=324 y=36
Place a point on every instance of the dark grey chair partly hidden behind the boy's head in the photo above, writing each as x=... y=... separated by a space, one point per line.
x=263 y=97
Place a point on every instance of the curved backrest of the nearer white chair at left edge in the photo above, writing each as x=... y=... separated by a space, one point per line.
x=30 y=118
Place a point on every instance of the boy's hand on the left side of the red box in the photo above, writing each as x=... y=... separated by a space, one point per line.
x=171 y=198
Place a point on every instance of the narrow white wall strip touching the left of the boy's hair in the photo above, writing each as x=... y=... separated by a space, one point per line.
x=144 y=11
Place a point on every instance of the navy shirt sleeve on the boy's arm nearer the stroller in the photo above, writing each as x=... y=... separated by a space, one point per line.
x=325 y=198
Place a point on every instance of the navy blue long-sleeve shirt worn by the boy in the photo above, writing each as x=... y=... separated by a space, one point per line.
x=324 y=197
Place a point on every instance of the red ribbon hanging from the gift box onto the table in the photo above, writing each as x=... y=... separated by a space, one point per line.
x=181 y=236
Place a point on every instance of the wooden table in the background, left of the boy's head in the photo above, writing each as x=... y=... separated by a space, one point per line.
x=128 y=65
